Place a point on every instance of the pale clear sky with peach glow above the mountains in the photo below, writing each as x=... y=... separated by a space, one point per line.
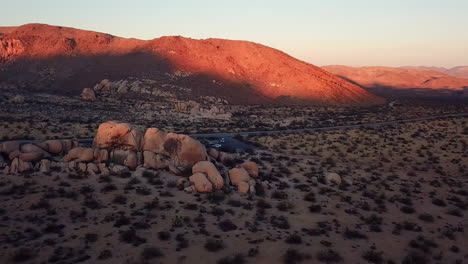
x=334 y=32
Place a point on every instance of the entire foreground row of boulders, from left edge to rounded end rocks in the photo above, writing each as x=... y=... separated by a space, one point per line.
x=118 y=148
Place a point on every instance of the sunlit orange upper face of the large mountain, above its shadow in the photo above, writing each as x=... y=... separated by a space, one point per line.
x=267 y=72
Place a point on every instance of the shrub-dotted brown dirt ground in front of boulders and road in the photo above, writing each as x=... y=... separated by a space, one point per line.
x=403 y=199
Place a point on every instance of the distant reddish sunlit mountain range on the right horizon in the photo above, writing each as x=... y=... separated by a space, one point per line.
x=398 y=78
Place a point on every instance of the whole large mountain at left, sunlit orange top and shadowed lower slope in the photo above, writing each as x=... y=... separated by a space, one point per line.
x=65 y=60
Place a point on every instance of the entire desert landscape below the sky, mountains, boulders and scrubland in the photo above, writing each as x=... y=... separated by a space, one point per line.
x=180 y=150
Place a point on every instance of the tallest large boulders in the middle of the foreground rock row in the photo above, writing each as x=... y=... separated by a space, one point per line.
x=121 y=144
